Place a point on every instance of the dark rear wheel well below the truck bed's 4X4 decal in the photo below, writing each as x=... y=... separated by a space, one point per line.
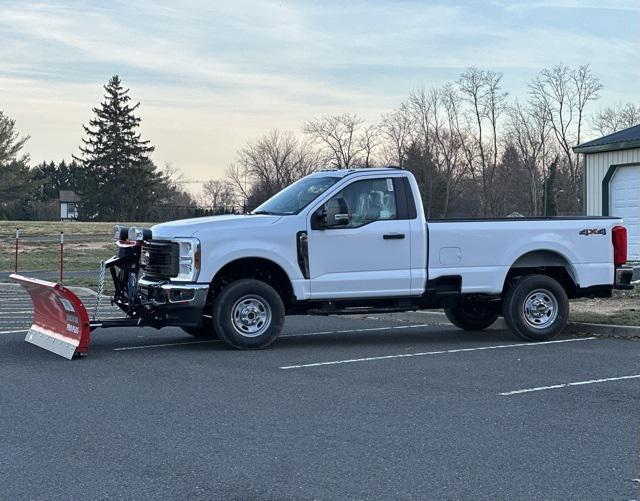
x=544 y=262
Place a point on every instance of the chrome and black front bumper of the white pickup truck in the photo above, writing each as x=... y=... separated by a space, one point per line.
x=175 y=304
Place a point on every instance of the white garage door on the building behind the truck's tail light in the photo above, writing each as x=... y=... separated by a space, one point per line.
x=625 y=203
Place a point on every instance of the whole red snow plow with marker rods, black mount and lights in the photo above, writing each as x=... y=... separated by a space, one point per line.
x=61 y=323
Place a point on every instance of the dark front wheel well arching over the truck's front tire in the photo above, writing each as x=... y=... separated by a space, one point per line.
x=259 y=269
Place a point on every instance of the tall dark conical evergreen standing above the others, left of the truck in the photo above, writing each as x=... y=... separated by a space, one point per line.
x=118 y=178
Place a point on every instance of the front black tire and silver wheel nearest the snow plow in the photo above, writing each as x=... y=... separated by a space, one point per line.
x=248 y=314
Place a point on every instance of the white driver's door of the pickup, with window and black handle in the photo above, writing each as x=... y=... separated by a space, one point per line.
x=369 y=256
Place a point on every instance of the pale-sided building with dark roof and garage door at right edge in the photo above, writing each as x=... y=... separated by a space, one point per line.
x=612 y=180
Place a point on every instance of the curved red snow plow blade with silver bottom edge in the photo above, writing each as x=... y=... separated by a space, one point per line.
x=60 y=320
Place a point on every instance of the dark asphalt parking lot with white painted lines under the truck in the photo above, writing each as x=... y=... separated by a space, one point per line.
x=339 y=408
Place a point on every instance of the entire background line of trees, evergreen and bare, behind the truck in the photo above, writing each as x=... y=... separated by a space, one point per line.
x=473 y=149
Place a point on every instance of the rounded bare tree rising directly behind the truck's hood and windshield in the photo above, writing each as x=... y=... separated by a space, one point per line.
x=269 y=164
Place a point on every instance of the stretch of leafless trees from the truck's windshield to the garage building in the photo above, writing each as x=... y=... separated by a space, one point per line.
x=473 y=149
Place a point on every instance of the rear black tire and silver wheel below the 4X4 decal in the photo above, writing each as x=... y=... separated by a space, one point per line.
x=536 y=308
